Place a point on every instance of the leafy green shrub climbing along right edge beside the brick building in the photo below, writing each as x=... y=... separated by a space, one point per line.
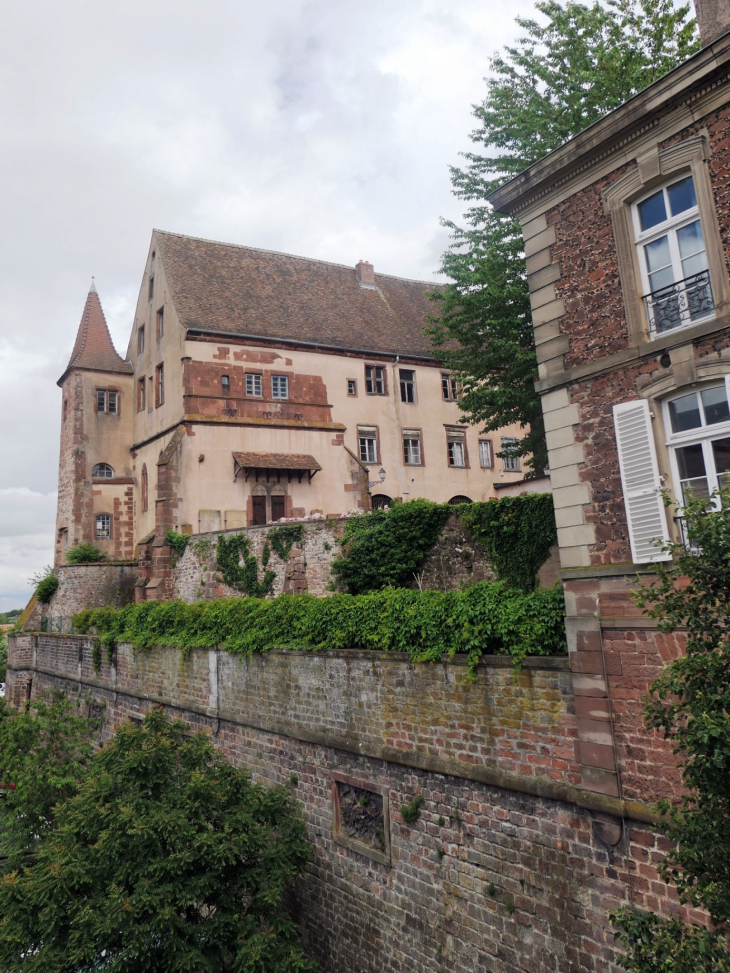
x=690 y=702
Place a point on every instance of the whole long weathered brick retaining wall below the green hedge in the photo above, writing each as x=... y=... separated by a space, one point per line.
x=509 y=867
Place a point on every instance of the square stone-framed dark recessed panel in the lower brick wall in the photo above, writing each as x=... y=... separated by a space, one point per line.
x=360 y=819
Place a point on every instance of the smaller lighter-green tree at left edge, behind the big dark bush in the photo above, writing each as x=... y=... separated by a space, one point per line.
x=44 y=752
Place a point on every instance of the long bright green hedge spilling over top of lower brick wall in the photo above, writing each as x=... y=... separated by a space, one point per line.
x=486 y=619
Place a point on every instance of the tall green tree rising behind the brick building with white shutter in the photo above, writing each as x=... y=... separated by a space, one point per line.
x=567 y=70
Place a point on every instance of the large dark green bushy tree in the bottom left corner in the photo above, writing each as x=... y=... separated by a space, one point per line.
x=167 y=859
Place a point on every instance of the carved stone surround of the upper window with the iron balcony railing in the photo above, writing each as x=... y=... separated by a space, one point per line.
x=653 y=169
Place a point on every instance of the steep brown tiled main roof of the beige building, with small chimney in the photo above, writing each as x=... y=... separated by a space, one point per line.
x=241 y=290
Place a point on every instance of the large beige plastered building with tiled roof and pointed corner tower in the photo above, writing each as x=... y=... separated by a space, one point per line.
x=257 y=386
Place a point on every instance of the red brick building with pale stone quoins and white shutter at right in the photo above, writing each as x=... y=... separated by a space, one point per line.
x=627 y=239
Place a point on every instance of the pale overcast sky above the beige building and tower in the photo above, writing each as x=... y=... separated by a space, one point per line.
x=322 y=128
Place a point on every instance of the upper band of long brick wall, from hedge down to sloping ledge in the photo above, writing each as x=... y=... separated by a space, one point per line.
x=509 y=728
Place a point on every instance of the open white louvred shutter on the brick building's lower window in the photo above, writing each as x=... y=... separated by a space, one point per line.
x=640 y=481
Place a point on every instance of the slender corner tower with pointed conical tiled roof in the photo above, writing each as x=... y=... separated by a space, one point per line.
x=95 y=481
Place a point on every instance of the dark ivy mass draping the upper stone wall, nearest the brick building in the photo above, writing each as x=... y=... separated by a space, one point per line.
x=387 y=547
